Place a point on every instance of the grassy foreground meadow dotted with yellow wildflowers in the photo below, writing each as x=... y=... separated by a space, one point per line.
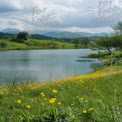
x=94 y=97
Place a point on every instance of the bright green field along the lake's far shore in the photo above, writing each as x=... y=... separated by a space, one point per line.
x=35 y=44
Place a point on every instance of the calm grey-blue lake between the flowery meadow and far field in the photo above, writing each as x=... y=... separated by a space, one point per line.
x=45 y=65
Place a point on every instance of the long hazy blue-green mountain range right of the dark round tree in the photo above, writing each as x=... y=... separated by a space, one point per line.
x=72 y=34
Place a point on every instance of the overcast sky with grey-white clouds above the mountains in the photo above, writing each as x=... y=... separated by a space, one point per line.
x=62 y=15
